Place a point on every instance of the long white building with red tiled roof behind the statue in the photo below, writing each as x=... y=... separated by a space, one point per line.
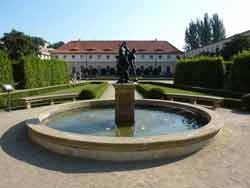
x=98 y=58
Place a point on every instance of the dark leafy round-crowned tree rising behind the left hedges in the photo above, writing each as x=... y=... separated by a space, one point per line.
x=18 y=44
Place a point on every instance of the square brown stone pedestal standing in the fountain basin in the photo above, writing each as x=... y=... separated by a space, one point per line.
x=124 y=104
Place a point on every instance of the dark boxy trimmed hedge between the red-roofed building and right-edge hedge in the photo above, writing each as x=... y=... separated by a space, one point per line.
x=201 y=71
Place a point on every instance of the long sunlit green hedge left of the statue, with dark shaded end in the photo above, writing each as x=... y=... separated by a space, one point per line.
x=32 y=72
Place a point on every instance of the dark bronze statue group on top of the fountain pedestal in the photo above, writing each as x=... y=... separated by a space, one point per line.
x=126 y=61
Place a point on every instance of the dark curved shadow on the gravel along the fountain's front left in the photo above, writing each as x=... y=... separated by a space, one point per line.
x=15 y=143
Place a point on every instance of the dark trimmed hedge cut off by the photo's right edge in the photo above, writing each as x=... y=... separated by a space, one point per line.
x=240 y=75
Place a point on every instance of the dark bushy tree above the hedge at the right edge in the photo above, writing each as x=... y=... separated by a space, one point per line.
x=235 y=46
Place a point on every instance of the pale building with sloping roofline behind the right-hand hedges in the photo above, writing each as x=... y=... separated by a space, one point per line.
x=214 y=47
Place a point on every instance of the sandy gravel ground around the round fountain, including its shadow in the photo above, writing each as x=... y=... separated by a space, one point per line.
x=224 y=163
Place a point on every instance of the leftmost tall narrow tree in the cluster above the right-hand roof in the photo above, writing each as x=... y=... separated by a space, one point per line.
x=192 y=36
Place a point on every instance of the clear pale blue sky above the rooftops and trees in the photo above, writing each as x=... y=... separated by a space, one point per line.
x=66 y=20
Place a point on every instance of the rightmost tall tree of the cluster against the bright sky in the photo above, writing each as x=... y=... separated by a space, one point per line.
x=218 y=30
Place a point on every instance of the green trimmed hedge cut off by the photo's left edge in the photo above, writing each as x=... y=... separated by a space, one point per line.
x=5 y=69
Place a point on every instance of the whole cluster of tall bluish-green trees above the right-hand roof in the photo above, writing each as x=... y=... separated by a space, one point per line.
x=204 y=31
